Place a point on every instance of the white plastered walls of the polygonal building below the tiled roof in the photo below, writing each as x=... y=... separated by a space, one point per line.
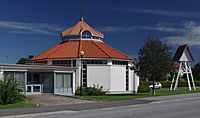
x=111 y=77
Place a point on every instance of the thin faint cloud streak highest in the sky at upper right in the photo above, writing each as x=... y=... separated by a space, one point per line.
x=162 y=12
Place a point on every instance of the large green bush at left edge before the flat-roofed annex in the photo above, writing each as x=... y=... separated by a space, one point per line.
x=10 y=91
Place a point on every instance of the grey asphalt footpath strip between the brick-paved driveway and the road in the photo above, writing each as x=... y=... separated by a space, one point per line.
x=73 y=107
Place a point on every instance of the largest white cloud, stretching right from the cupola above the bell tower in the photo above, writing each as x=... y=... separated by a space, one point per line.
x=182 y=33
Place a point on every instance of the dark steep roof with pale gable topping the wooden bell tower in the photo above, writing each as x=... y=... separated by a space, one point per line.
x=183 y=54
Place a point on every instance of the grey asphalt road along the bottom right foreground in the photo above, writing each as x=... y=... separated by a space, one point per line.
x=179 y=108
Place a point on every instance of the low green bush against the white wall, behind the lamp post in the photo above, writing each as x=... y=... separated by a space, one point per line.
x=90 y=91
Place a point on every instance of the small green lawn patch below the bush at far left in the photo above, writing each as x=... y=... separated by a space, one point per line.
x=22 y=104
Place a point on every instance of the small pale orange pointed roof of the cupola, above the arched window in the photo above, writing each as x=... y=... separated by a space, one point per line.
x=79 y=27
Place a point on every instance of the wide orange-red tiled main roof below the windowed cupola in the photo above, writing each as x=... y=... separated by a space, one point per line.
x=72 y=48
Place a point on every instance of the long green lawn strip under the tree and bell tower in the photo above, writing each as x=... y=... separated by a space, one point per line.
x=162 y=92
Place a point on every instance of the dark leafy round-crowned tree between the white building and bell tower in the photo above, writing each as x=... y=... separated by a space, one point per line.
x=154 y=60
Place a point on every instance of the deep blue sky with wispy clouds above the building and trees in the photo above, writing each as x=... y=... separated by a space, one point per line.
x=28 y=27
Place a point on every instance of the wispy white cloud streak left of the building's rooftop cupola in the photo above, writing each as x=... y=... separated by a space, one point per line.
x=30 y=28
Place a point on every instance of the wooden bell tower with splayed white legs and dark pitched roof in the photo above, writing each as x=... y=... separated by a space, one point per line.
x=183 y=56
